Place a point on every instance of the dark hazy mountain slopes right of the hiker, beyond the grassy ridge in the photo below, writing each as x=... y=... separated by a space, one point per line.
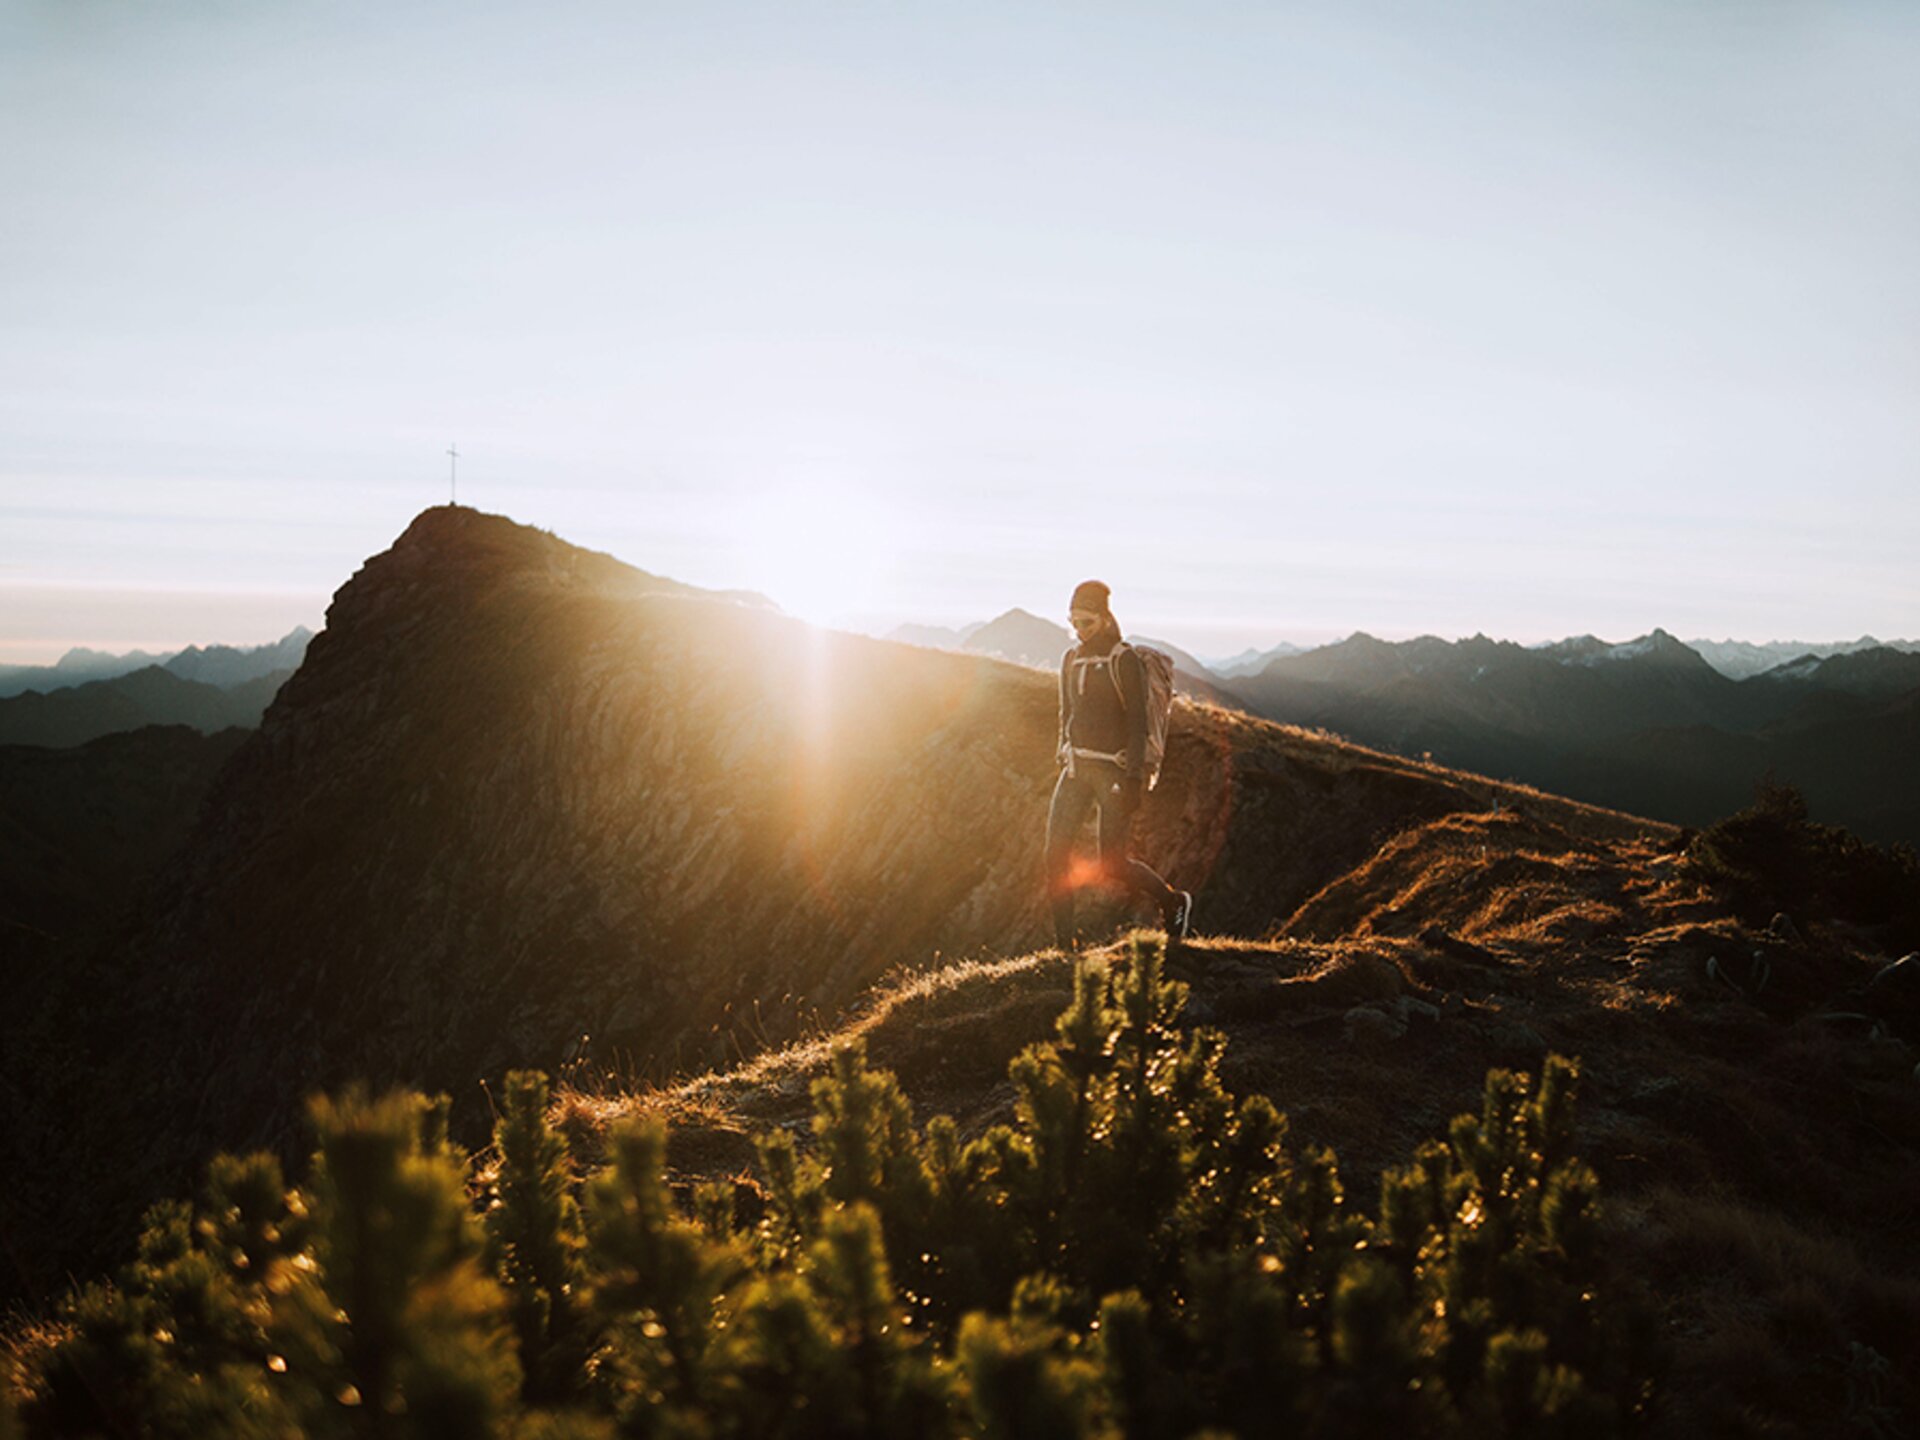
x=1644 y=727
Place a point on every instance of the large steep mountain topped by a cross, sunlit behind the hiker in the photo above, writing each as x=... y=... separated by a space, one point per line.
x=519 y=794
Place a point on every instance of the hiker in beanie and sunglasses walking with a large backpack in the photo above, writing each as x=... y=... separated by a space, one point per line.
x=1105 y=736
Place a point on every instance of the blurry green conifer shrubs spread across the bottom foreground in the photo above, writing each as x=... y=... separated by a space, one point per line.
x=1138 y=1255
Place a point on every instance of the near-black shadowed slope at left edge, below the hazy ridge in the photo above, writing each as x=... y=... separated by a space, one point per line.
x=84 y=830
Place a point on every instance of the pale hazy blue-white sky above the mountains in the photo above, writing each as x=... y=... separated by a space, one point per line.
x=1284 y=320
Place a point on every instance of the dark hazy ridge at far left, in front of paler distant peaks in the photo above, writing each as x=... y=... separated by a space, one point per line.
x=145 y=698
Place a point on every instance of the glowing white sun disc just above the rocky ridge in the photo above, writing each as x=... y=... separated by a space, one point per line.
x=823 y=554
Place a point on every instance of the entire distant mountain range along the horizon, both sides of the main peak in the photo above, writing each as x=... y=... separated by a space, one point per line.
x=1666 y=729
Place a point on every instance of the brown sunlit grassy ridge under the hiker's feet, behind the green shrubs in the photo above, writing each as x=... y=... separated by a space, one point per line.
x=1760 y=1159
